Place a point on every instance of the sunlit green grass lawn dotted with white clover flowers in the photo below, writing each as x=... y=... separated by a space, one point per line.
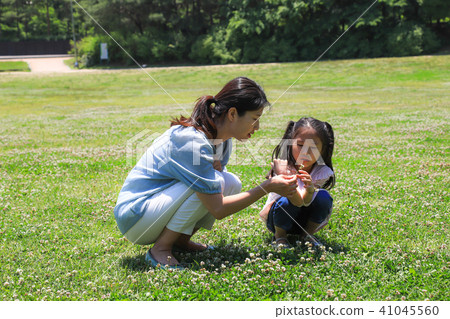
x=63 y=161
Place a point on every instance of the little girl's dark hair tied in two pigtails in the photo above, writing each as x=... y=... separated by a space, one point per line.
x=325 y=134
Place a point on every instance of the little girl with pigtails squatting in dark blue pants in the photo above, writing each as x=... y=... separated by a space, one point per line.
x=306 y=150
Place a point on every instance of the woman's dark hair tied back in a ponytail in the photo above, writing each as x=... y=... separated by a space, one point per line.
x=242 y=93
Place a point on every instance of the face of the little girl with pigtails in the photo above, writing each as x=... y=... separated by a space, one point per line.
x=307 y=147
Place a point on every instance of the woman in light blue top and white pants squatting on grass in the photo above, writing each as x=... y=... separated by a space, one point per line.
x=180 y=184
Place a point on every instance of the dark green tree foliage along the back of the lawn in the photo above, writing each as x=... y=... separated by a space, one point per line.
x=233 y=31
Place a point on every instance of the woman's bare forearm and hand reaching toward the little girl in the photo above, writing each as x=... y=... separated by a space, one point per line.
x=221 y=207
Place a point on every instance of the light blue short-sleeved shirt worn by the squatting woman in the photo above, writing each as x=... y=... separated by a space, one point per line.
x=181 y=154
